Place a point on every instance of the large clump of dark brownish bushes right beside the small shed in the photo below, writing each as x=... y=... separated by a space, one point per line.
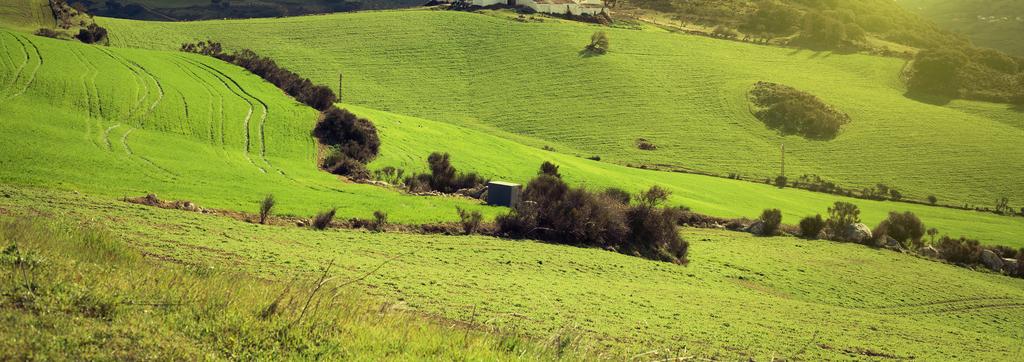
x=552 y=211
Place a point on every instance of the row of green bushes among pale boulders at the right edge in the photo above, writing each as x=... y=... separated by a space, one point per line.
x=898 y=232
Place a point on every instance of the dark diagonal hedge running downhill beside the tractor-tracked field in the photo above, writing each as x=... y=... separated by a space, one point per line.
x=352 y=142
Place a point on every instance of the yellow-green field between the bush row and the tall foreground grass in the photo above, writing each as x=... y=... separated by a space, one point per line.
x=741 y=297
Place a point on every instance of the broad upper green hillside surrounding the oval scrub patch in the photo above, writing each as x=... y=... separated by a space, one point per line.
x=529 y=82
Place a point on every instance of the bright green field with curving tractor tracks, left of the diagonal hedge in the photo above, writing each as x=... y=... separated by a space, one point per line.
x=127 y=122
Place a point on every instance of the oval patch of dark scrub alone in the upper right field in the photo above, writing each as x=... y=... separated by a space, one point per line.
x=795 y=113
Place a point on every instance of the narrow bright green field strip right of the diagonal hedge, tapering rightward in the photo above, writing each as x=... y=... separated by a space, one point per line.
x=407 y=143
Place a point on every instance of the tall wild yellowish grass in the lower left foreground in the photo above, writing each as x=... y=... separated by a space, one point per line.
x=74 y=292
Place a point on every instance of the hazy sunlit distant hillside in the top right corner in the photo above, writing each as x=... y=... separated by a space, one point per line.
x=996 y=24
